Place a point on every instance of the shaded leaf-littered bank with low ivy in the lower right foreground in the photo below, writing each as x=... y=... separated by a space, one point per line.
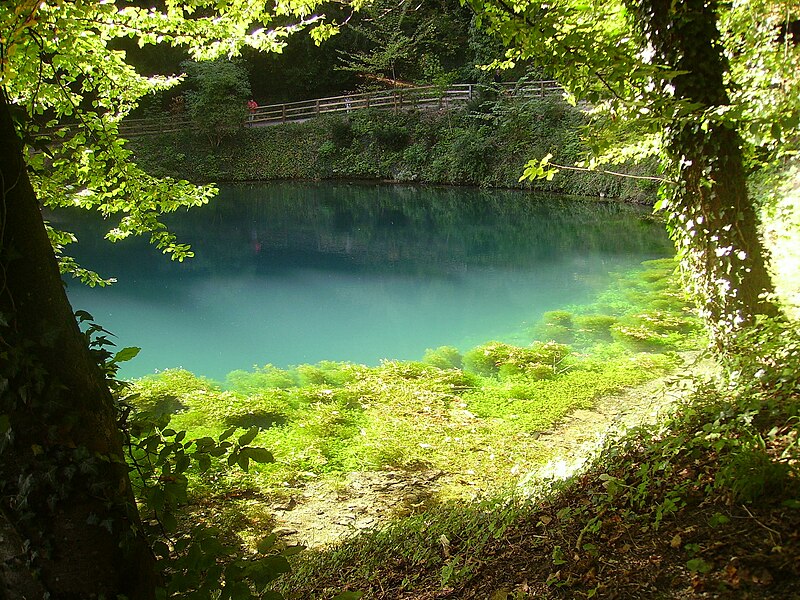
x=704 y=502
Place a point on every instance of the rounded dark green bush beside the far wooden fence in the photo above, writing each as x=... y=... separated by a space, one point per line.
x=217 y=97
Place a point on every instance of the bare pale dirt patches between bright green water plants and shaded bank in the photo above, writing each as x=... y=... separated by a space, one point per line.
x=325 y=512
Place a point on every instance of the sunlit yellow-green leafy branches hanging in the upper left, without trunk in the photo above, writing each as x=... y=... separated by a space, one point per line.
x=70 y=89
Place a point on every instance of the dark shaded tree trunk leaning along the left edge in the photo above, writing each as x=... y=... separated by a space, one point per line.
x=69 y=522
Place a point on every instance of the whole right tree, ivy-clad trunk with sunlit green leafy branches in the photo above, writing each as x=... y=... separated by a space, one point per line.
x=708 y=86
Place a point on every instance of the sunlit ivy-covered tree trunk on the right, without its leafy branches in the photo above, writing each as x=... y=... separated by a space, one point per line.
x=712 y=217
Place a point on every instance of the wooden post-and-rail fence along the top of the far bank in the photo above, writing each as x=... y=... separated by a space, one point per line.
x=412 y=98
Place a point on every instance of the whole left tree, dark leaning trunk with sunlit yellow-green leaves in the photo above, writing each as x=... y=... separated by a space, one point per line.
x=69 y=527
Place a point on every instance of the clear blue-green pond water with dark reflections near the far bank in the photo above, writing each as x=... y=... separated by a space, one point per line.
x=296 y=273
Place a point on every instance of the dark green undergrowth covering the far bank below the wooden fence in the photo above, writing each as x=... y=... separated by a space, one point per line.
x=485 y=145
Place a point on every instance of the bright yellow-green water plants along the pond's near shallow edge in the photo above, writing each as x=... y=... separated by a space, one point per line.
x=473 y=416
